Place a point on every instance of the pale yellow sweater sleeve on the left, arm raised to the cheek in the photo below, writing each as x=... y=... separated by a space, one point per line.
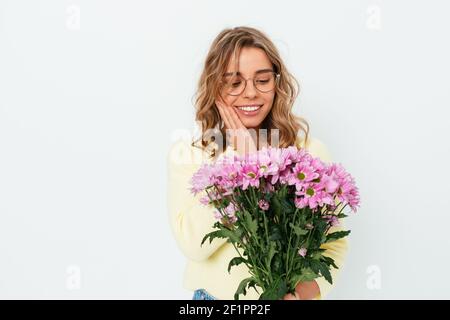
x=190 y=220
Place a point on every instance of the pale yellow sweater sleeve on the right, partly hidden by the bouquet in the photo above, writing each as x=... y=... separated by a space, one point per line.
x=337 y=250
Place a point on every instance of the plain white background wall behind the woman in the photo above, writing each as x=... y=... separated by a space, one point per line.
x=92 y=92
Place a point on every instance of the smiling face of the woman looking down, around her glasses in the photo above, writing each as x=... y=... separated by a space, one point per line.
x=252 y=63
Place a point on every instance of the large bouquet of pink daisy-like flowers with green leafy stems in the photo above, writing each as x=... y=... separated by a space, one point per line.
x=276 y=206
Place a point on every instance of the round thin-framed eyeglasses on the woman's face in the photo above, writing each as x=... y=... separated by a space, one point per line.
x=264 y=82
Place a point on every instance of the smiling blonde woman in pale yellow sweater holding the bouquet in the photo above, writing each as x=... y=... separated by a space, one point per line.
x=245 y=94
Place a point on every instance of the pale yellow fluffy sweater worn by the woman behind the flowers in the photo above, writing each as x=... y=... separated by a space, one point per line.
x=190 y=221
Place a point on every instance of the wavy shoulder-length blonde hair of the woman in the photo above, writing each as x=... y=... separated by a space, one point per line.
x=228 y=43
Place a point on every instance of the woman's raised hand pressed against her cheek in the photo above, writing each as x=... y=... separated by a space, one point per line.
x=239 y=133
